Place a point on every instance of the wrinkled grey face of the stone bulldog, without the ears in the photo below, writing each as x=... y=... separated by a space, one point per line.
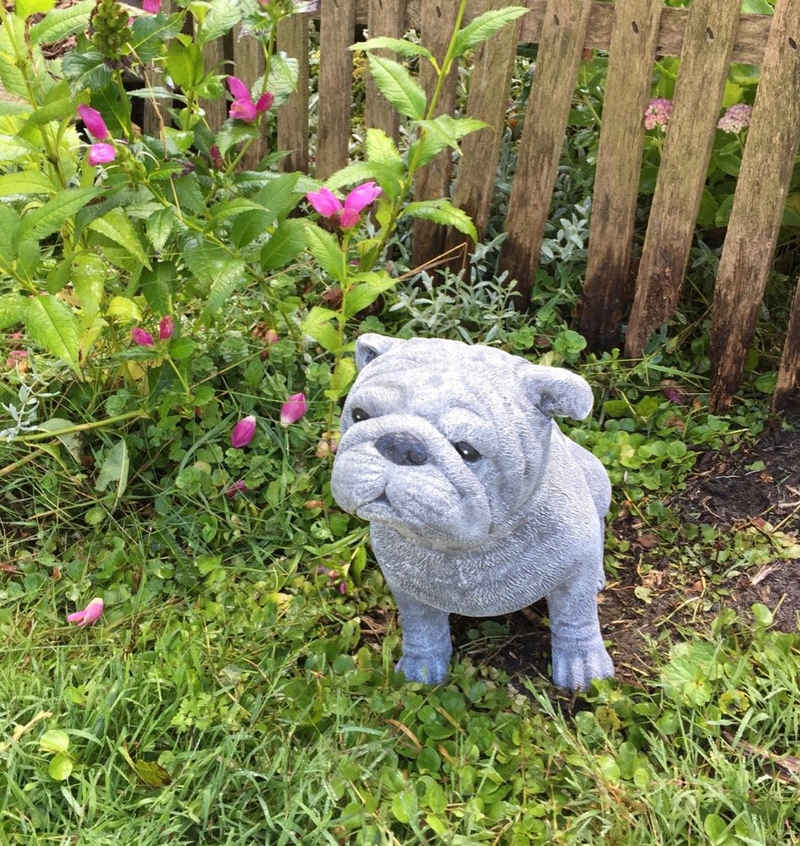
x=439 y=443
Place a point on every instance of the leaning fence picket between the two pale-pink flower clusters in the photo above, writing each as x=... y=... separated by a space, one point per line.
x=708 y=42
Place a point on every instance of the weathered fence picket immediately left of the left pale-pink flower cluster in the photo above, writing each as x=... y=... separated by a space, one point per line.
x=608 y=288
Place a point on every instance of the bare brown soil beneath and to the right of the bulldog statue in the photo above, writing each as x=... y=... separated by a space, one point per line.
x=653 y=600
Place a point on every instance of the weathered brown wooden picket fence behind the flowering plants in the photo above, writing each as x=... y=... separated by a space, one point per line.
x=707 y=36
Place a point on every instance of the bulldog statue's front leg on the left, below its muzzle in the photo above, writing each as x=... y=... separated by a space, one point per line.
x=426 y=640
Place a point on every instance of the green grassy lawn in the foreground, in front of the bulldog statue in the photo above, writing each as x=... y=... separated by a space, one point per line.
x=276 y=721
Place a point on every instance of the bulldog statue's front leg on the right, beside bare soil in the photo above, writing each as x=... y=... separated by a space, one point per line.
x=576 y=642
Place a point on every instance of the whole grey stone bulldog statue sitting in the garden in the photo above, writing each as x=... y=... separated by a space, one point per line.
x=478 y=504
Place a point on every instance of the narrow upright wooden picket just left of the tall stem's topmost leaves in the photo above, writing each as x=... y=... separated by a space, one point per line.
x=337 y=33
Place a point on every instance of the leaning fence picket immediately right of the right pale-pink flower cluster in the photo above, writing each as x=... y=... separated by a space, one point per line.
x=758 y=203
